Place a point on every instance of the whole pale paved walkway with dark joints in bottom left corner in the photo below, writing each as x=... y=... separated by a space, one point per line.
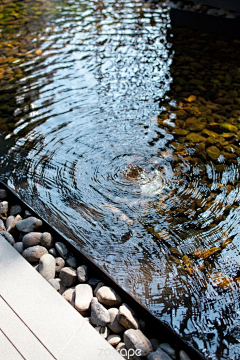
x=36 y=323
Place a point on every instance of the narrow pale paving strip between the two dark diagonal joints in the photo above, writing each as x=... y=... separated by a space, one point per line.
x=20 y=335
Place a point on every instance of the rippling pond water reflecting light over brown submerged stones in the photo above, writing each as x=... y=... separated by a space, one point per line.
x=124 y=134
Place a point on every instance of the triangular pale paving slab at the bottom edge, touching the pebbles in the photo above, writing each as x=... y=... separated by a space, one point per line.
x=88 y=344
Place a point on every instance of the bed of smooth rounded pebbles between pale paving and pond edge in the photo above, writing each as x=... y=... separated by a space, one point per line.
x=98 y=303
